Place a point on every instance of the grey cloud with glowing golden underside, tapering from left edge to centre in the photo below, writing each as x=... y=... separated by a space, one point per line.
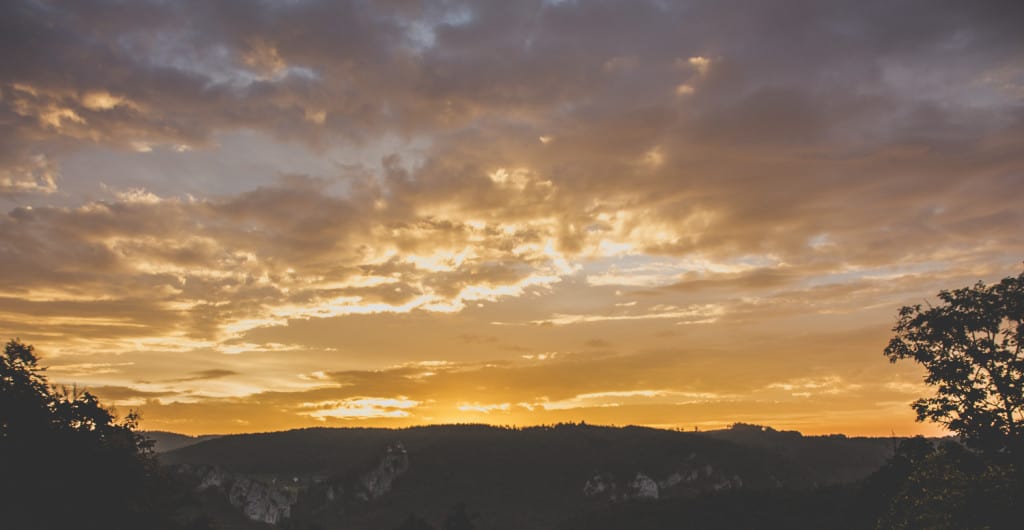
x=261 y=259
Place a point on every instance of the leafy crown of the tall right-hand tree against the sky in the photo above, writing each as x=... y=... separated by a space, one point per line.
x=971 y=347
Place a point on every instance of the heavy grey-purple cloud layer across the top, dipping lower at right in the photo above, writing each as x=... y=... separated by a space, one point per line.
x=793 y=106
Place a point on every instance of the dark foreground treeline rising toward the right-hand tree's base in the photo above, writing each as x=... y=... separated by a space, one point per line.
x=927 y=485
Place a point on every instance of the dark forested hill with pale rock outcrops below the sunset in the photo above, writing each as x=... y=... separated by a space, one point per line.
x=373 y=478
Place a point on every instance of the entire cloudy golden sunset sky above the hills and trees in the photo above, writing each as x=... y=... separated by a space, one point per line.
x=245 y=216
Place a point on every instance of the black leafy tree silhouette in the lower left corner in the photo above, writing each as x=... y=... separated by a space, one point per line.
x=67 y=463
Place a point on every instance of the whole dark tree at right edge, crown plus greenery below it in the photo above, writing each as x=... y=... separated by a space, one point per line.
x=971 y=348
